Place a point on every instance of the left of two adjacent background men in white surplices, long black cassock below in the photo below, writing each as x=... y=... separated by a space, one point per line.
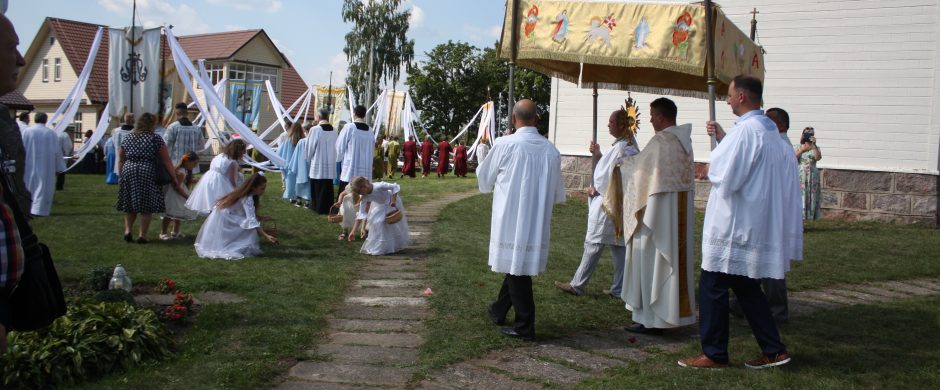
x=321 y=153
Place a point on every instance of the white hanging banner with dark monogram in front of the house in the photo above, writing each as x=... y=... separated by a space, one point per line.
x=133 y=70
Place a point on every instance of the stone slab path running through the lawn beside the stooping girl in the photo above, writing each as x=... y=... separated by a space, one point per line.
x=374 y=335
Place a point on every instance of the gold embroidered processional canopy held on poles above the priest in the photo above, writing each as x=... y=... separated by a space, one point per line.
x=648 y=47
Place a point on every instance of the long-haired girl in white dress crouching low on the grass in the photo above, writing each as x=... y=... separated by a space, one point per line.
x=232 y=229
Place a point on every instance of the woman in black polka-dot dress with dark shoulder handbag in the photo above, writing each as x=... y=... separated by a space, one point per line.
x=143 y=155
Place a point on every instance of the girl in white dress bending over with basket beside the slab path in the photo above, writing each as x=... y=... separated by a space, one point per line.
x=378 y=200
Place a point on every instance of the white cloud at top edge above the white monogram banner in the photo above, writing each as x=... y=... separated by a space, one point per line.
x=154 y=13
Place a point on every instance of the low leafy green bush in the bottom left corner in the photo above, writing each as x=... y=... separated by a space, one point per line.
x=89 y=341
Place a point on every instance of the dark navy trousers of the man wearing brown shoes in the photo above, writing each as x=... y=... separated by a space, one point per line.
x=713 y=309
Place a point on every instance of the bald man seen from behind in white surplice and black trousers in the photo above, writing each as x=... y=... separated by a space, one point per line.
x=523 y=171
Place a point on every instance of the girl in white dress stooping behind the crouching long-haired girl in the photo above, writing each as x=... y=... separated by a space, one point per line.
x=223 y=177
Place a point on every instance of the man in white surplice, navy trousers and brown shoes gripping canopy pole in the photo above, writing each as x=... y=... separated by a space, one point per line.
x=753 y=228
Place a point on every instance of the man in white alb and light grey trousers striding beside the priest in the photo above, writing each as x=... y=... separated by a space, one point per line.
x=600 y=229
